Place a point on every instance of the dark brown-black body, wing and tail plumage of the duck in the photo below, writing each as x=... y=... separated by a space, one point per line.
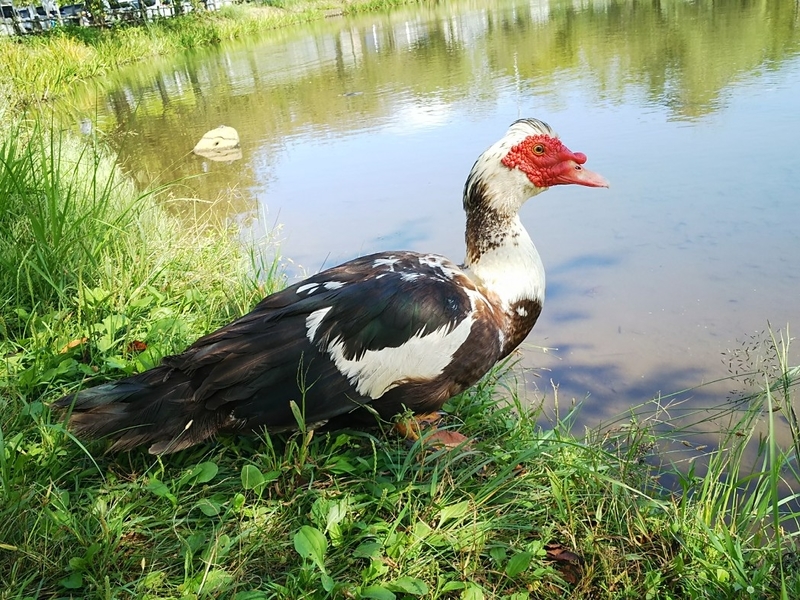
x=244 y=376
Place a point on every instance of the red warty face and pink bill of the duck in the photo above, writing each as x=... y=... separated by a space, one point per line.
x=547 y=162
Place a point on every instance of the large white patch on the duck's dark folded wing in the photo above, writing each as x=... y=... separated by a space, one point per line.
x=424 y=356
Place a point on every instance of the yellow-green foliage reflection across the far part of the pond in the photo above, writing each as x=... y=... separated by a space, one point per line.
x=682 y=55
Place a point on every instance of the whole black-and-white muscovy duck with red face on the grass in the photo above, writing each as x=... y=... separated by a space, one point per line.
x=383 y=333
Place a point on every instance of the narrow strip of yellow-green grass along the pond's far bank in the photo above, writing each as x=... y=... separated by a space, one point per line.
x=39 y=68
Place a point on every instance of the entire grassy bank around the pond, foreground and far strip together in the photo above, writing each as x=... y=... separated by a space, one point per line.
x=98 y=280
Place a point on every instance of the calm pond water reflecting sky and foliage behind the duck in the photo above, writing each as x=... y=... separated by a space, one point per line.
x=357 y=135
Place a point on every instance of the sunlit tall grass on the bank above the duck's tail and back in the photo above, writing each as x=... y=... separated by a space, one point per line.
x=83 y=257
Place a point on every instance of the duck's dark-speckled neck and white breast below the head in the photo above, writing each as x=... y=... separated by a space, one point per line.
x=503 y=262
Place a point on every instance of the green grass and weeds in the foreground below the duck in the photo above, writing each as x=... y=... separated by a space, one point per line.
x=359 y=515
